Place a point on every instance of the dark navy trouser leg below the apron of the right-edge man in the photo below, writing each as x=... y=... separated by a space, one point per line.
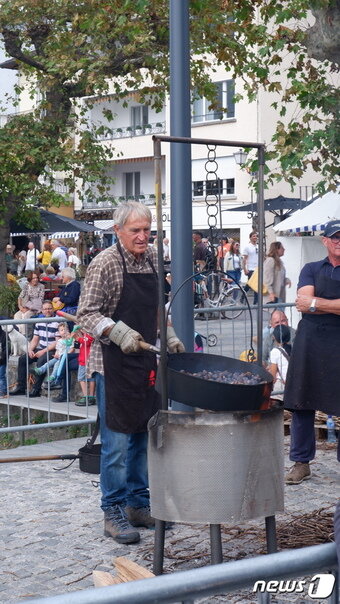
x=302 y=436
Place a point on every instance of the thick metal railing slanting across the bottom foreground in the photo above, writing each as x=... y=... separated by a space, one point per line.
x=187 y=586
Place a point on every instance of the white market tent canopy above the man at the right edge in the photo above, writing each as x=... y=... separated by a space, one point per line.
x=314 y=216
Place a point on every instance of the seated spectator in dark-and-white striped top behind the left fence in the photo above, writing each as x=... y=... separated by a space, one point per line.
x=40 y=349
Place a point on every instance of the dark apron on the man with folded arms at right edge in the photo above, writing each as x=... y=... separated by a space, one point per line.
x=313 y=377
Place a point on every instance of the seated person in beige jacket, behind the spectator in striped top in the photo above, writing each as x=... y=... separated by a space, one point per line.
x=30 y=299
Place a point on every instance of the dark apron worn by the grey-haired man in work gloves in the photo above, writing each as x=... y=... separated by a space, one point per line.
x=131 y=398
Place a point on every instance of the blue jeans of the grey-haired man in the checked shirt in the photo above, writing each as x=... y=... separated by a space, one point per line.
x=123 y=461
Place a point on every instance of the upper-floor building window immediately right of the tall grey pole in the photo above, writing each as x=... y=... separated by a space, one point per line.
x=225 y=91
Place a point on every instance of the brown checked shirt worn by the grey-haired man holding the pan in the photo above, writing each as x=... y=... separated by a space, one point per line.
x=102 y=291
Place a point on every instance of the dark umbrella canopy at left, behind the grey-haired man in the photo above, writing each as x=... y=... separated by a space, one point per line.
x=54 y=224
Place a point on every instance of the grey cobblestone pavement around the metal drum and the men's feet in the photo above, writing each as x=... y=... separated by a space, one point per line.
x=52 y=526
